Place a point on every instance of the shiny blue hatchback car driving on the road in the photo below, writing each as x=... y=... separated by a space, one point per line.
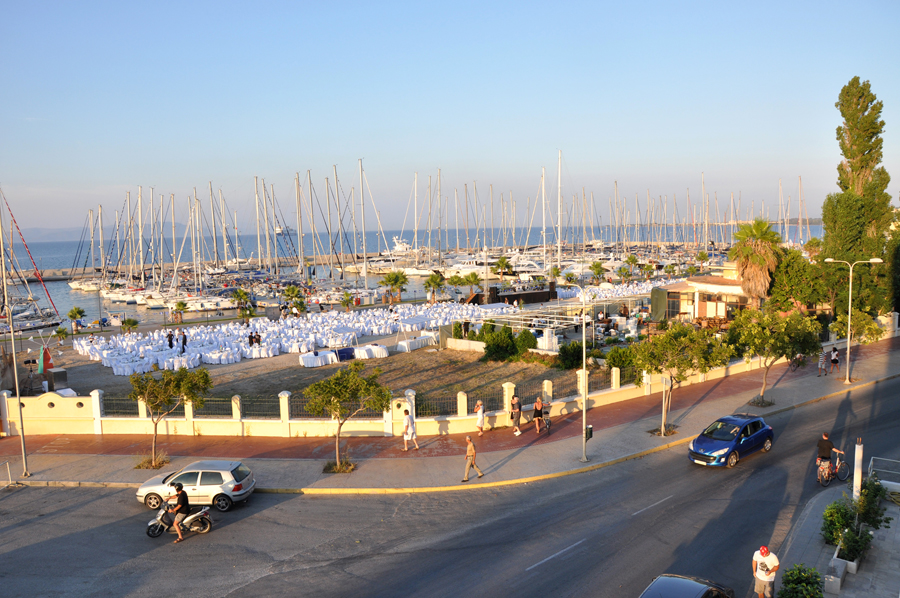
x=730 y=438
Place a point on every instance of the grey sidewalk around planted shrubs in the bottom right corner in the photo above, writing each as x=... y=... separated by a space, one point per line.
x=879 y=573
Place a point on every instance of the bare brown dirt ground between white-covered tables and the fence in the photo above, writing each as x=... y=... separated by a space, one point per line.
x=429 y=372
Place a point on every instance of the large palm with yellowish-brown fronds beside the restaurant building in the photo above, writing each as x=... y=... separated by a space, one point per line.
x=756 y=253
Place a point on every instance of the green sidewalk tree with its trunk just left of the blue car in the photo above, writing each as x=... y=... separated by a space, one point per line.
x=677 y=354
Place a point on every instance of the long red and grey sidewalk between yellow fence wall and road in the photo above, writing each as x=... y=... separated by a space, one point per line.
x=295 y=464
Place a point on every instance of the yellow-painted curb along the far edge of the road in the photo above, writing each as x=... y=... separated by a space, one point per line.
x=467 y=487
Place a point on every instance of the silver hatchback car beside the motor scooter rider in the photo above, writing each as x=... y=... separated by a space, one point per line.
x=217 y=483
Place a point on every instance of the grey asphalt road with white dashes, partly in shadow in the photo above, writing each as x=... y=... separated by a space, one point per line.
x=607 y=533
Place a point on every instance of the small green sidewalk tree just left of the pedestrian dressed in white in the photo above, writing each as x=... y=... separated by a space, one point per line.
x=344 y=394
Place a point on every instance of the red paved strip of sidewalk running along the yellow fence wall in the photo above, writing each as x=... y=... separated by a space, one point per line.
x=433 y=446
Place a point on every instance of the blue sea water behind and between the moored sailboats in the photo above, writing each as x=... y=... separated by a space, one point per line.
x=47 y=255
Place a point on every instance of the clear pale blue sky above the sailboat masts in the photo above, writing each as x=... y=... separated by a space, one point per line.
x=99 y=98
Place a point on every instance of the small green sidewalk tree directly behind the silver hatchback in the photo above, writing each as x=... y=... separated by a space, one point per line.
x=163 y=392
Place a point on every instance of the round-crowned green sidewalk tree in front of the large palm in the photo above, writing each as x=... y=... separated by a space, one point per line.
x=772 y=336
